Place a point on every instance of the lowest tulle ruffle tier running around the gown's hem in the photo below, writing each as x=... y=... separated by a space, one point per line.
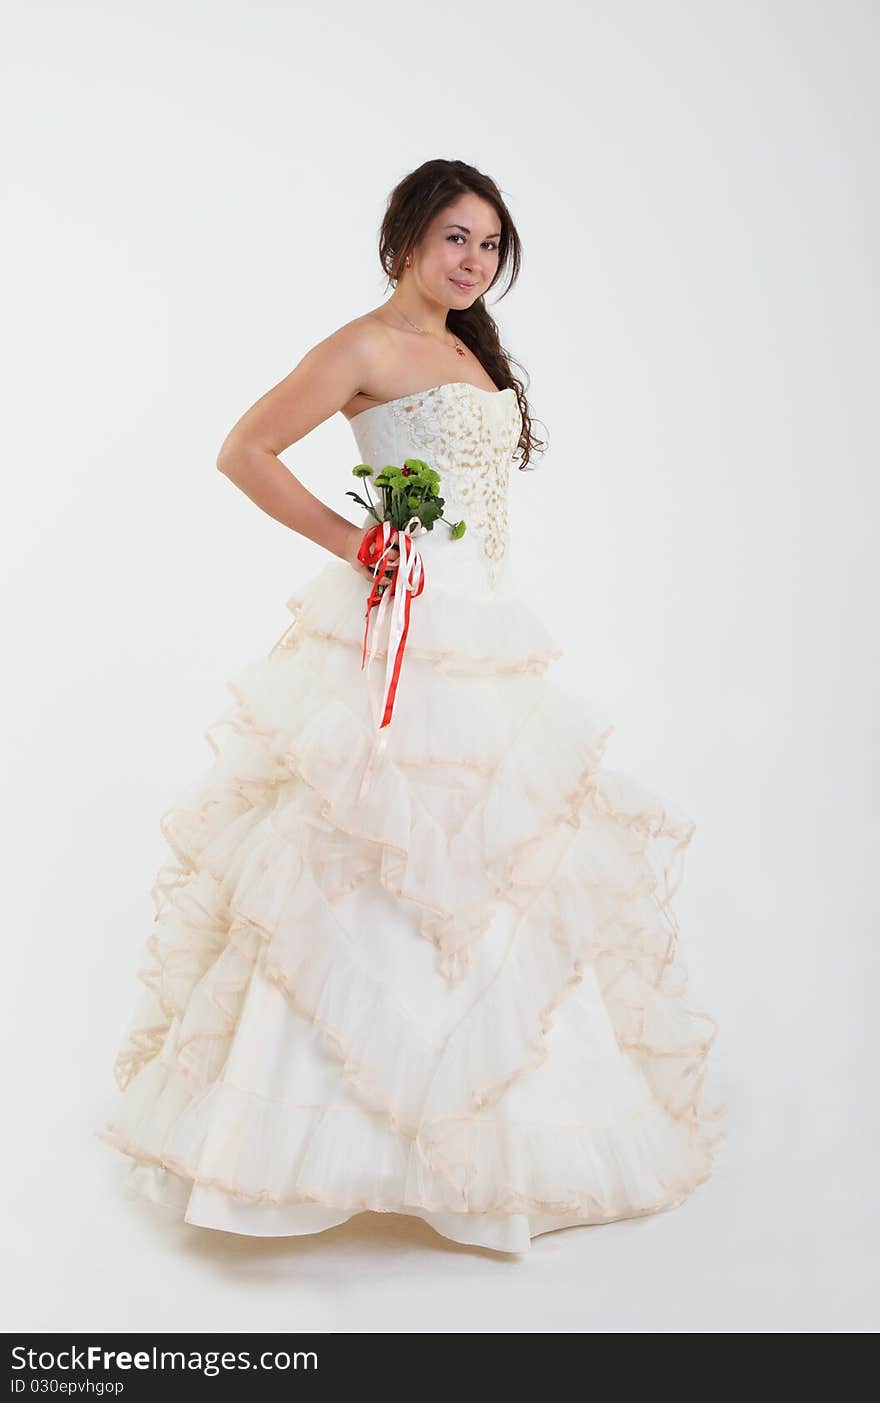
x=260 y=1151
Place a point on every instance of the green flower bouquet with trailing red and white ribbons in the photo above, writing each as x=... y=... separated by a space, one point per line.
x=409 y=506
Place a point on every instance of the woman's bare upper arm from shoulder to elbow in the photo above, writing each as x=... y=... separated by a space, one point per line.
x=325 y=382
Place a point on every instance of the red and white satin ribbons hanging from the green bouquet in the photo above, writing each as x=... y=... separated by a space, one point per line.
x=409 y=575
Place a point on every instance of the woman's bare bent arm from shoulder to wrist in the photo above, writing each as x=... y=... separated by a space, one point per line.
x=328 y=377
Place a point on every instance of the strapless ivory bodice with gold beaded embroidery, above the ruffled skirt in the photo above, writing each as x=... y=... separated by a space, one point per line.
x=469 y=437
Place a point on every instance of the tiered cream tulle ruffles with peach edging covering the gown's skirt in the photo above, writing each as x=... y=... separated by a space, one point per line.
x=492 y=792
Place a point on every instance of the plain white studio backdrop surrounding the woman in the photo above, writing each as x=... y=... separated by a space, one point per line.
x=194 y=193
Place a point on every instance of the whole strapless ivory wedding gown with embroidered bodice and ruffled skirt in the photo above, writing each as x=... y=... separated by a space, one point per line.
x=427 y=970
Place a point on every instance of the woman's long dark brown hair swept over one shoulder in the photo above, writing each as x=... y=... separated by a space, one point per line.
x=412 y=207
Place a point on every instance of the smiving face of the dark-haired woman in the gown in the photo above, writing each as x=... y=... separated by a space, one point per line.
x=458 y=255
